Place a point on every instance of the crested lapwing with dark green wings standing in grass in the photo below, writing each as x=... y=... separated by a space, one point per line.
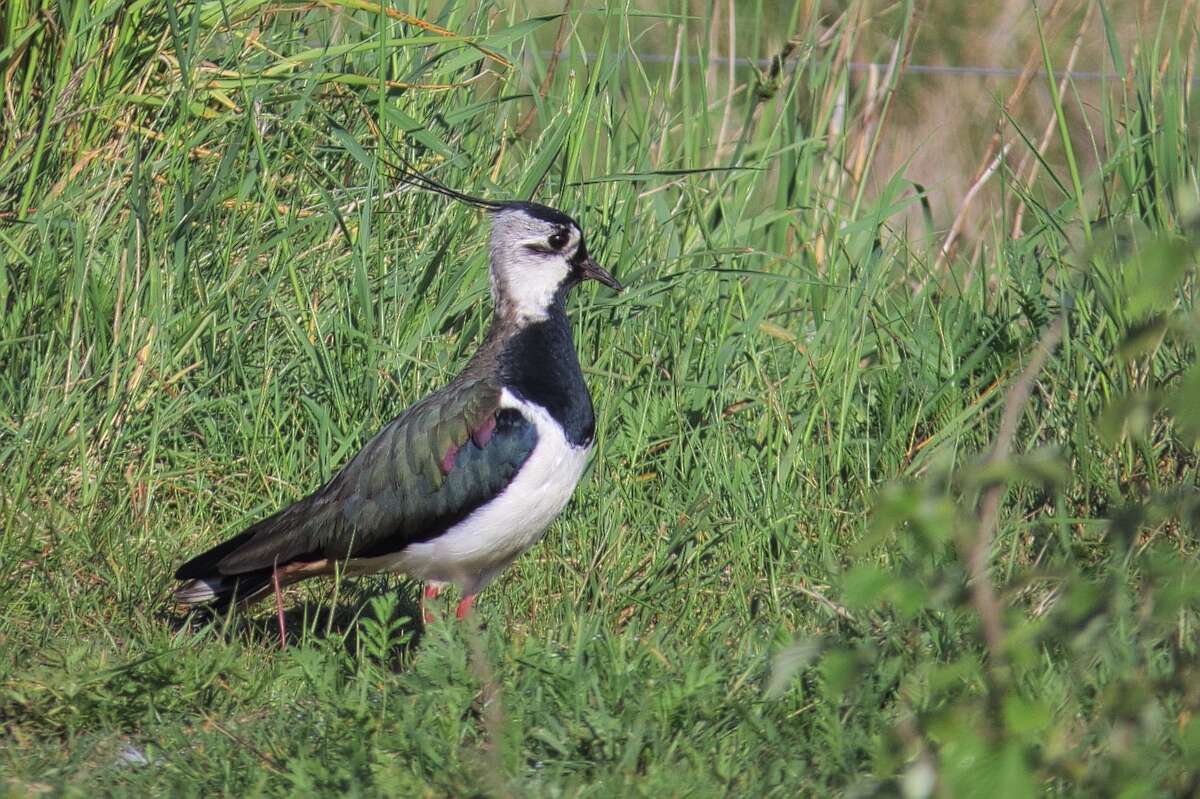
x=465 y=480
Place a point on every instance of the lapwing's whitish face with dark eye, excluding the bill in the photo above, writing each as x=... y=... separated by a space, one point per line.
x=531 y=261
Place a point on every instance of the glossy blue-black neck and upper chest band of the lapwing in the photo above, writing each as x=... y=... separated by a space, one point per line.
x=538 y=364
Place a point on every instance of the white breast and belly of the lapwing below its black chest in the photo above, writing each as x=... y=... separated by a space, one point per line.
x=479 y=548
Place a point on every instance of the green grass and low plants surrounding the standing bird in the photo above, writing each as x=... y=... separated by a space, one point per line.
x=775 y=578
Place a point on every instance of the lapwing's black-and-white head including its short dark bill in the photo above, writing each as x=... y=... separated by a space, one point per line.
x=538 y=255
